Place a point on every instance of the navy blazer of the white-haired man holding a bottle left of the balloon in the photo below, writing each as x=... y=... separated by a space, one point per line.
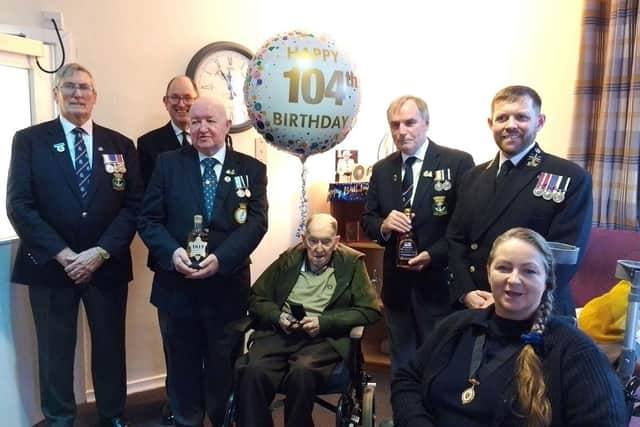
x=173 y=197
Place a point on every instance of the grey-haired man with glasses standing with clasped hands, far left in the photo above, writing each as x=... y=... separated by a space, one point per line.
x=73 y=192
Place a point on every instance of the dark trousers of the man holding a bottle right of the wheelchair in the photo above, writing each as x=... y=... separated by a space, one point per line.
x=408 y=326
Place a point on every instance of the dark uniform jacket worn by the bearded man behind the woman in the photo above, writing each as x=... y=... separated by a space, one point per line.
x=484 y=215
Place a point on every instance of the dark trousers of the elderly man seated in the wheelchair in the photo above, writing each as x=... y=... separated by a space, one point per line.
x=295 y=365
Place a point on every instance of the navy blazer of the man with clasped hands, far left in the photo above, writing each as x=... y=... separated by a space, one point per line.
x=46 y=210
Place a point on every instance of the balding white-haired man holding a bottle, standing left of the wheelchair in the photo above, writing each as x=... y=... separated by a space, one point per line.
x=195 y=304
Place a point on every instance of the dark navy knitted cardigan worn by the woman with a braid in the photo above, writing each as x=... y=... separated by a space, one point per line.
x=580 y=383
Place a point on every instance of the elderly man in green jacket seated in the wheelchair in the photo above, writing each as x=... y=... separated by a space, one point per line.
x=303 y=308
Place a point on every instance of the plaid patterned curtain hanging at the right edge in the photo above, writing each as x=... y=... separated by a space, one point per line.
x=606 y=132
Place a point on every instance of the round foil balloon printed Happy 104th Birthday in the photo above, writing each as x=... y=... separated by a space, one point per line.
x=302 y=93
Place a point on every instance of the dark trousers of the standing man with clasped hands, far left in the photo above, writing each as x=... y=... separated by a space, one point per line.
x=55 y=313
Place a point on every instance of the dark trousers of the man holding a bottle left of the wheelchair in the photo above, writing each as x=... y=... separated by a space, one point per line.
x=200 y=357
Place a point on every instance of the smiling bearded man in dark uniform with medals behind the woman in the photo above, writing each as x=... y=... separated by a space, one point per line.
x=540 y=191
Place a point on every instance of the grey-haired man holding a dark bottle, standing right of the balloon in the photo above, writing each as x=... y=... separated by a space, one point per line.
x=415 y=297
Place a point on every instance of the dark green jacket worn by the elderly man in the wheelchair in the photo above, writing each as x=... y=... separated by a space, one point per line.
x=353 y=303
